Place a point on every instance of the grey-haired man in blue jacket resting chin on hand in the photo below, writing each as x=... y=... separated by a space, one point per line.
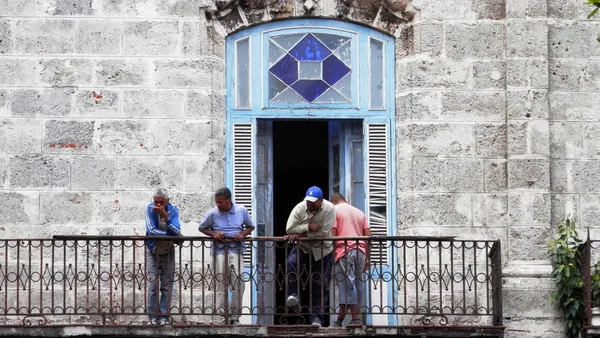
x=162 y=219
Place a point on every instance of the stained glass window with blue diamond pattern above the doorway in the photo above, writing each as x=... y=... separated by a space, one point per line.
x=310 y=68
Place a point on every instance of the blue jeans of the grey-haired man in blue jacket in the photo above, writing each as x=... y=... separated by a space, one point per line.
x=160 y=270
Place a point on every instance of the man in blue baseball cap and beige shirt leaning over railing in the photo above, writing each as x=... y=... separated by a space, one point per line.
x=312 y=218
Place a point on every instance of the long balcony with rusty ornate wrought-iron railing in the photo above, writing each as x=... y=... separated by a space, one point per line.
x=98 y=285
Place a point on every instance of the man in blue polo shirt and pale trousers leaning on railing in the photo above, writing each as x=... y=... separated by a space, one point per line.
x=232 y=221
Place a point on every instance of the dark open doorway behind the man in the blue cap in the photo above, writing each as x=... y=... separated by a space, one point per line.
x=300 y=160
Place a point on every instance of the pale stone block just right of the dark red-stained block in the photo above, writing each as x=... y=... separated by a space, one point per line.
x=124 y=137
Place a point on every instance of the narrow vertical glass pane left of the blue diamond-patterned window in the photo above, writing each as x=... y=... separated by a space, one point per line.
x=242 y=73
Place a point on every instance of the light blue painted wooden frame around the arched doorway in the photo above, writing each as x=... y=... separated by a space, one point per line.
x=358 y=109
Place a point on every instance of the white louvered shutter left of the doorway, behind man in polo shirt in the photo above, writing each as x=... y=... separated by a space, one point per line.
x=242 y=170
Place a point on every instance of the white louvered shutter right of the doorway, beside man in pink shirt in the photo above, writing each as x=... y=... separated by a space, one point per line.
x=377 y=169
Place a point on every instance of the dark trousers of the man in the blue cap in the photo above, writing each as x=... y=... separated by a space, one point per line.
x=307 y=276
